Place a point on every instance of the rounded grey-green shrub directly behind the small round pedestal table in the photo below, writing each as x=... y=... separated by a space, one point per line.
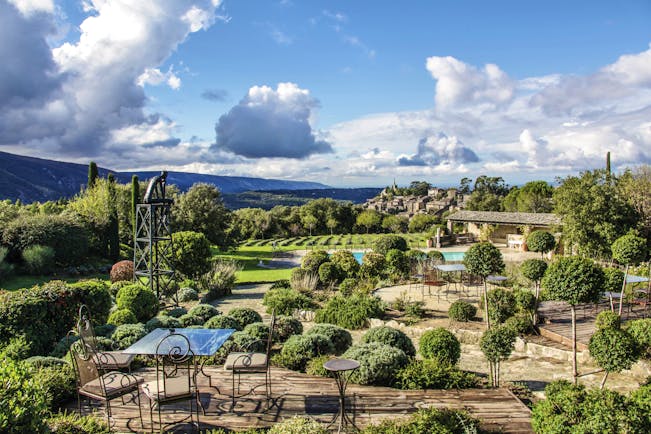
x=379 y=363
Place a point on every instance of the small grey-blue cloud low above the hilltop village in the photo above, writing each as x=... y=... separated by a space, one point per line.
x=439 y=150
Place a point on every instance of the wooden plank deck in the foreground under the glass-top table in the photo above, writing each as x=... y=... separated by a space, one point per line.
x=300 y=394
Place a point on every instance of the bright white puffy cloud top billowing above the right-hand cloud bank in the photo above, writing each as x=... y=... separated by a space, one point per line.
x=460 y=84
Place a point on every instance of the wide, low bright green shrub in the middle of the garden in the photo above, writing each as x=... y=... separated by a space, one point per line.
x=350 y=312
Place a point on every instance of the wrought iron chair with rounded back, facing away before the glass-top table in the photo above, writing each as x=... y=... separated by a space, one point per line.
x=176 y=376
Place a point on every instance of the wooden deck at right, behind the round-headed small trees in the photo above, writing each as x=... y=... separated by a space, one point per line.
x=557 y=321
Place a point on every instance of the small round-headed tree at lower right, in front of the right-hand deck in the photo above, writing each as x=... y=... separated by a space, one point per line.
x=613 y=349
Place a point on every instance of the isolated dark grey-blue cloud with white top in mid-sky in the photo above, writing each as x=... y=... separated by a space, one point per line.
x=271 y=123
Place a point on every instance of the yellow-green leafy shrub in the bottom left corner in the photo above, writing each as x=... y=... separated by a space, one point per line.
x=23 y=404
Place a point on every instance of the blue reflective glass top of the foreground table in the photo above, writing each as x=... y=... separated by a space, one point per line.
x=203 y=342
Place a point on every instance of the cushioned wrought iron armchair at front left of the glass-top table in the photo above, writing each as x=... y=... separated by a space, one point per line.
x=93 y=384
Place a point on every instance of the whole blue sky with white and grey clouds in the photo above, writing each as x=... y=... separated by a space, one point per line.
x=346 y=93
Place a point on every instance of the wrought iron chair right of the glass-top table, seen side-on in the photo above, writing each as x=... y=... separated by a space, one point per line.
x=248 y=362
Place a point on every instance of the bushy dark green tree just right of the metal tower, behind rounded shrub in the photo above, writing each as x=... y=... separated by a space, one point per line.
x=201 y=209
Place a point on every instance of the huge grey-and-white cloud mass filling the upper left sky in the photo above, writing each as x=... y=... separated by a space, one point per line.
x=72 y=99
